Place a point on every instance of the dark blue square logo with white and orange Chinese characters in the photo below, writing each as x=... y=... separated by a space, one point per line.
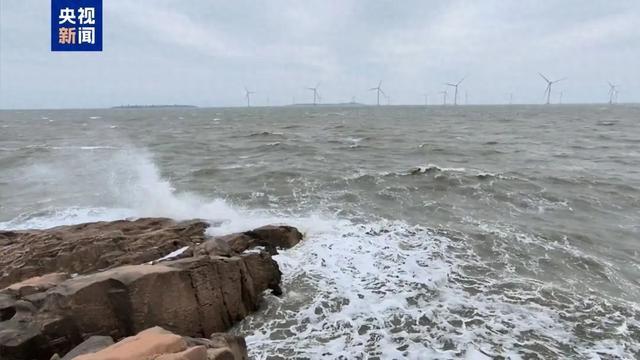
x=76 y=25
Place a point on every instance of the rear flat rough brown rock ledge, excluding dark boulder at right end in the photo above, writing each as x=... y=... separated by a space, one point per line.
x=90 y=247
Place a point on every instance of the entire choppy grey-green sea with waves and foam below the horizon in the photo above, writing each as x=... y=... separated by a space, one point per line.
x=439 y=232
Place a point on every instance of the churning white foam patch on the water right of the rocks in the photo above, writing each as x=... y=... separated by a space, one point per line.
x=401 y=291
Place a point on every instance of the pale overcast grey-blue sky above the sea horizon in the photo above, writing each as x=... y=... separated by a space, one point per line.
x=204 y=52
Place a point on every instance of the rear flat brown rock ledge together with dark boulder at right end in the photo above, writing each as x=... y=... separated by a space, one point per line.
x=90 y=247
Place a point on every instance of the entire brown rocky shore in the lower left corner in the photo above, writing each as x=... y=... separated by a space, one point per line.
x=158 y=288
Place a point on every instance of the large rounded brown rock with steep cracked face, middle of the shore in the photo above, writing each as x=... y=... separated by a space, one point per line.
x=193 y=296
